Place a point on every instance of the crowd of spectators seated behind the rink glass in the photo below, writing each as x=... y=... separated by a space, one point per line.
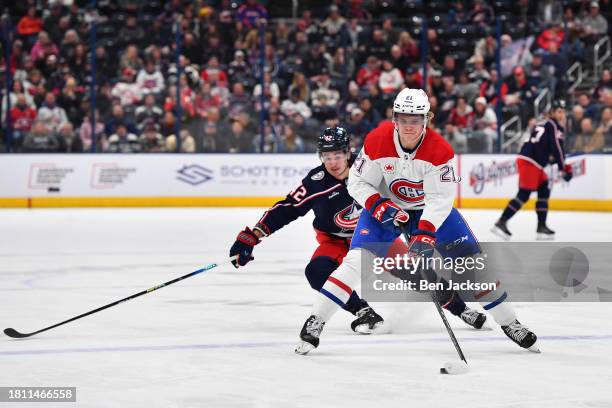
x=340 y=63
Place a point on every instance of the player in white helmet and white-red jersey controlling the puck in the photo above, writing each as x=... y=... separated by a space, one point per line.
x=405 y=179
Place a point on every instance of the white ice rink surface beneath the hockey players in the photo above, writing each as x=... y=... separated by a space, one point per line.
x=225 y=338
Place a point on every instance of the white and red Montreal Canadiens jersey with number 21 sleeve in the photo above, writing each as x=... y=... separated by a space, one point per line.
x=423 y=179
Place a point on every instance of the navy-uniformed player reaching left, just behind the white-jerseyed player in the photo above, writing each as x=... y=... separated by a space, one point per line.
x=323 y=191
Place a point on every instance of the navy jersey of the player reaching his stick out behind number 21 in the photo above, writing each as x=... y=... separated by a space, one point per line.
x=335 y=210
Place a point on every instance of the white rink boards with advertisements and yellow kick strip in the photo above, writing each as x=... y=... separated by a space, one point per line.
x=249 y=180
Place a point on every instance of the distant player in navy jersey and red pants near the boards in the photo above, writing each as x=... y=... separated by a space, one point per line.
x=543 y=146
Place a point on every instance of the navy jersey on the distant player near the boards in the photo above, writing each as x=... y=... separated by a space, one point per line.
x=545 y=144
